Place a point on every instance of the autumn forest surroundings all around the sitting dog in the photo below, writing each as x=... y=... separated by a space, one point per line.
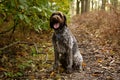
x=26 y=50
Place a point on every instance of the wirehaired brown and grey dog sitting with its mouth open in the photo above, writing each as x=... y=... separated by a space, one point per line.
x=66 y=50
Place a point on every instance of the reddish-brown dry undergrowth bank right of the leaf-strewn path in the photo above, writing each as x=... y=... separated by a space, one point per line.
x=101 y=26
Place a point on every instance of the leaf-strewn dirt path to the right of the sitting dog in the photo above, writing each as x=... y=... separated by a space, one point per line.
x=98 y=64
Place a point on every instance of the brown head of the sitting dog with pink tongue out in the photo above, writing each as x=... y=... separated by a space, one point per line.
x=57 y=20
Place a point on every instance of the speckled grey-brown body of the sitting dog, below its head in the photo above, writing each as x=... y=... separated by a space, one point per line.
x=66 y=49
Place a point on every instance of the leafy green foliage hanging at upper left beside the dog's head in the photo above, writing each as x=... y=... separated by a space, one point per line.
x=32 y=13
